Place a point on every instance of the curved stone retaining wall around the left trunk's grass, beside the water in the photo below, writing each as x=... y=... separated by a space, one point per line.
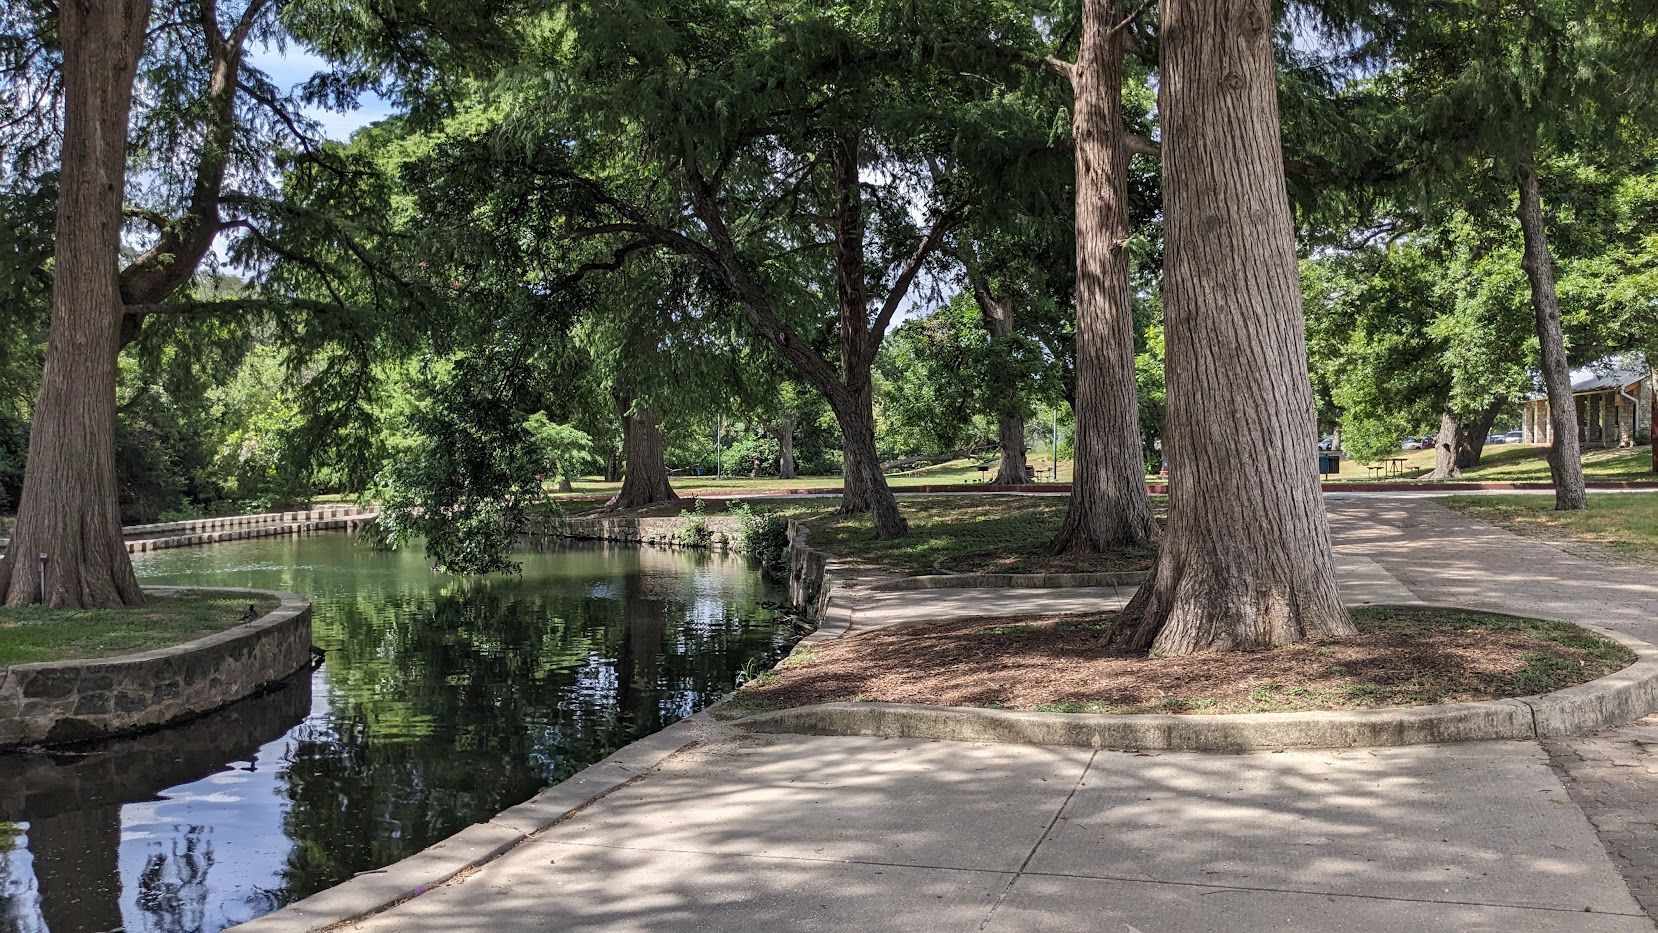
x=72 y=702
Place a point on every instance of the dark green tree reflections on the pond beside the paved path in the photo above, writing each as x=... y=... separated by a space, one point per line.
x=450 y=705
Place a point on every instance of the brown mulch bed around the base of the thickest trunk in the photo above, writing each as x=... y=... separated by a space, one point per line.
x=1402 y=657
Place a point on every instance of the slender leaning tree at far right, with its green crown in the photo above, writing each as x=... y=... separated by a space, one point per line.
x=1493 y=94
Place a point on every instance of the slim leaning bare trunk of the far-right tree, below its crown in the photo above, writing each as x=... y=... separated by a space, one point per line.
x=1566 y=452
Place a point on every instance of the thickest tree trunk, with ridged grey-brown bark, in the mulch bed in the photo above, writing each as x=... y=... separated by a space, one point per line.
x=1246 y=561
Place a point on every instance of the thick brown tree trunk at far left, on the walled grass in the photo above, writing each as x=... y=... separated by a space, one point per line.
x=69 y=511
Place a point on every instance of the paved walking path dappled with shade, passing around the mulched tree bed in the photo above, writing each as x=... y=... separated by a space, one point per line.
x=802 y=833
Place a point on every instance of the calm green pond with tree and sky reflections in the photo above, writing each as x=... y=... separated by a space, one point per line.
x=442 y=702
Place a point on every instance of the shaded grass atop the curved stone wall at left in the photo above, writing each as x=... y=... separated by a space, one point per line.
x=34 y=634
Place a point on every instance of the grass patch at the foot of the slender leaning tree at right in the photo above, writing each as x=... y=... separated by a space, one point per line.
x=1626 y=523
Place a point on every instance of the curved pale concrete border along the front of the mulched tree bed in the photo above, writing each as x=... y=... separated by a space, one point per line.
x=1617 y=699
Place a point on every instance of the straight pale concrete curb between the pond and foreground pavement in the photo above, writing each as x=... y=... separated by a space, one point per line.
x=384 y=889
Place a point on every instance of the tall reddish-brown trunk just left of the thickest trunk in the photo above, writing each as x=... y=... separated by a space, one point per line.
x=1108 y=506
